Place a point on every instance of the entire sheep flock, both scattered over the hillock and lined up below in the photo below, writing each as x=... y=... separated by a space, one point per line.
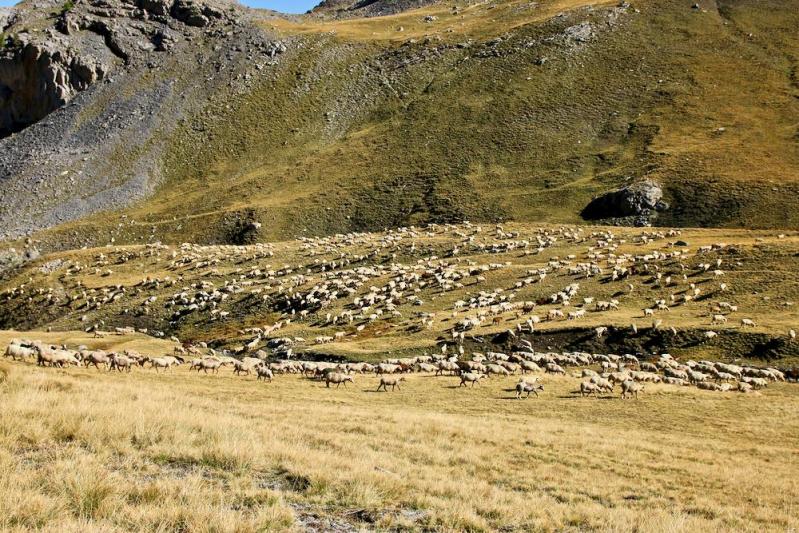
x=356 y=286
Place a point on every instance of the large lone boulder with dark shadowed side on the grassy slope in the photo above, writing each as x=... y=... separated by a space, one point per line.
x=635 y=204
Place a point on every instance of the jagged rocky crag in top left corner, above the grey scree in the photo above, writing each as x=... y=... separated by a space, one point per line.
x=42 y=71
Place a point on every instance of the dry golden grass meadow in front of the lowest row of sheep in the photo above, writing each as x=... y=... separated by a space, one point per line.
x=82 y=450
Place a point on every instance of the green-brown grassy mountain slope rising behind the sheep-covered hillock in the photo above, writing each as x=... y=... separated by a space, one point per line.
x=504 y=111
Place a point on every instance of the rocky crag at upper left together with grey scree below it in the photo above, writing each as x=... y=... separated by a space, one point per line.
x=90 y=94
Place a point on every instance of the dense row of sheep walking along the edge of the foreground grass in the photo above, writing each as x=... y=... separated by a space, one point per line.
x=626 y=371
